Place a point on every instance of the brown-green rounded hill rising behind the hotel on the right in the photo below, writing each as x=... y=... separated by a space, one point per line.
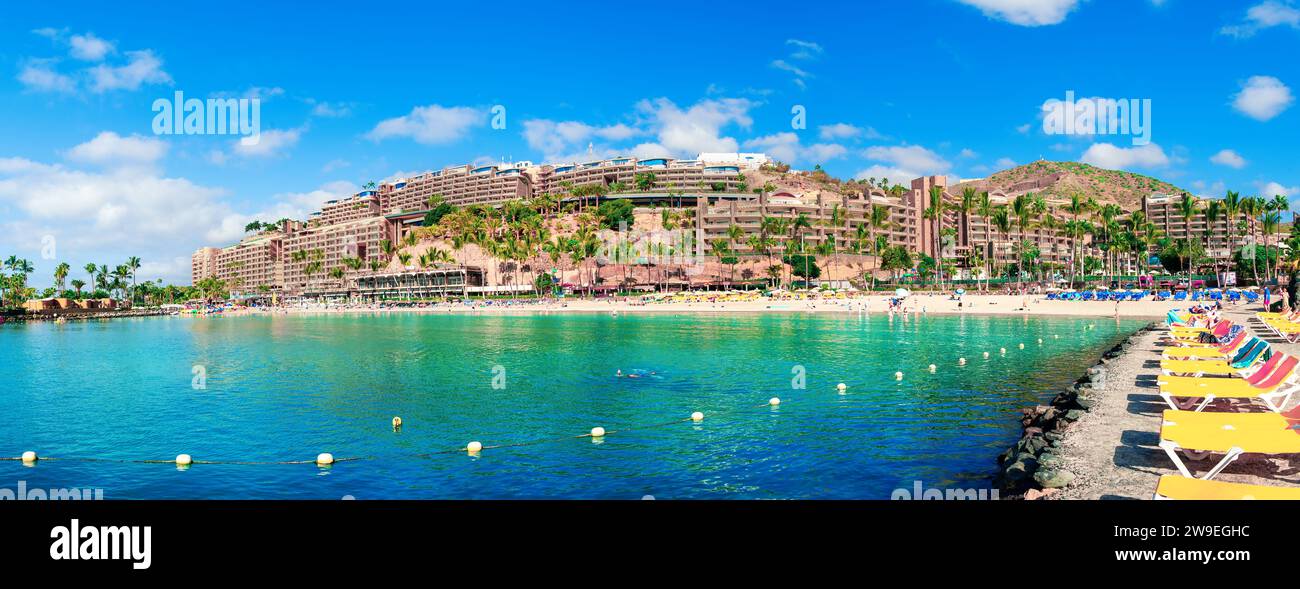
x=1060 y=180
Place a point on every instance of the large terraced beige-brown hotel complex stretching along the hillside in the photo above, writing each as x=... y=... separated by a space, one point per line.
x=297 y=259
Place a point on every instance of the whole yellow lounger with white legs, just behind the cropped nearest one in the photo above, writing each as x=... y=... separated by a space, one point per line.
x=1232 y=435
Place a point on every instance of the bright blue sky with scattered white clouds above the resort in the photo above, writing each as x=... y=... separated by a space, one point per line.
x=353 y=93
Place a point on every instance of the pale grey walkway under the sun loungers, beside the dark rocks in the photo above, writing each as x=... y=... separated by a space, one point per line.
x=1115 y=451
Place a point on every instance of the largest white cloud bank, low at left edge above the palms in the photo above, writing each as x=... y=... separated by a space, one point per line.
x=118 y=211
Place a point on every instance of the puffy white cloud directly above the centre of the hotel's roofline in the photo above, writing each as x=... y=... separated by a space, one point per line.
x=686 y=133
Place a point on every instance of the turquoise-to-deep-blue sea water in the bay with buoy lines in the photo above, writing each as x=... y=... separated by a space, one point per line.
x=288 y=388
